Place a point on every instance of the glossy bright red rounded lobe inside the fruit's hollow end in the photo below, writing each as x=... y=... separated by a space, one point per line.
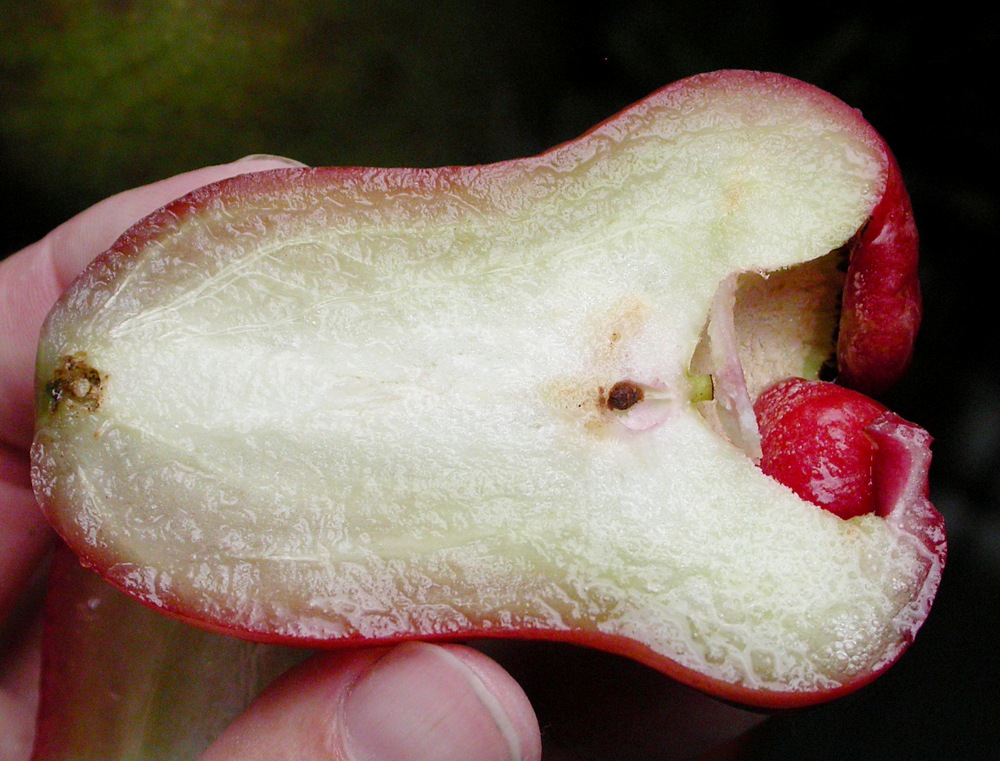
x=814 y=440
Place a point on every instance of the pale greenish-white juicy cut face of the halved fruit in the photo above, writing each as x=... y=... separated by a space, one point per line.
x=343 y=405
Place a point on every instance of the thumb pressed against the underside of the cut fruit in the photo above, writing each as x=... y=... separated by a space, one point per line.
x=411 y=702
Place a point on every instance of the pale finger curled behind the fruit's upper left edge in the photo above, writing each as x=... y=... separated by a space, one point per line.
x=32 y=279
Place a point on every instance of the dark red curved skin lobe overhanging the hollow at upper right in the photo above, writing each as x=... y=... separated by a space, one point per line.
x=881 y=309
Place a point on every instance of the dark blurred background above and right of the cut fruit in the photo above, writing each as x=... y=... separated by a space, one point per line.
x=112 y=94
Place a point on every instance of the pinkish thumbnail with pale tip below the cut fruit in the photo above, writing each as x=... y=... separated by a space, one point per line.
x=422 y=702
